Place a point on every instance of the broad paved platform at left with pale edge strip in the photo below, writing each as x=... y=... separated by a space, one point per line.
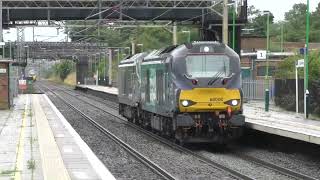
x=37 y=142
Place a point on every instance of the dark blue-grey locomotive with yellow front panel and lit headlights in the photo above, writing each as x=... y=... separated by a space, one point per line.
x=191 y=92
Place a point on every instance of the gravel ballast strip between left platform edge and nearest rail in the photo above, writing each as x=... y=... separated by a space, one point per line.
x=121 y=164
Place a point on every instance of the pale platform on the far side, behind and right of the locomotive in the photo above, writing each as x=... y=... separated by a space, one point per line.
x=277 y=121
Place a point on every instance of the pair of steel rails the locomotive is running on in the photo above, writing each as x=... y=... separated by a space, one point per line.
x=271 y=166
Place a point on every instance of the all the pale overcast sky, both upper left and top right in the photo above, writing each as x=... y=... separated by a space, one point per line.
x=277 y=7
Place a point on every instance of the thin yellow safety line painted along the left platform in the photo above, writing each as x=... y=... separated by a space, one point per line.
x=20 y=150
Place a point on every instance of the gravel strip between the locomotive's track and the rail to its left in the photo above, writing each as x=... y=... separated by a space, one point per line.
x=181 y=165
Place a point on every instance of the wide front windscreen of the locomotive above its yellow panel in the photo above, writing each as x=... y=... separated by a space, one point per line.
x=208 y=66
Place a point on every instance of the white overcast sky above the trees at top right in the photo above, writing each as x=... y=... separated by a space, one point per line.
x=279 y=7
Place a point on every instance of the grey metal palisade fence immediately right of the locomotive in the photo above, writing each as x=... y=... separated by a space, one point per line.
x=255 y=89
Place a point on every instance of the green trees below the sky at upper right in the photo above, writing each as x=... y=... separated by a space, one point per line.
x=294 y=25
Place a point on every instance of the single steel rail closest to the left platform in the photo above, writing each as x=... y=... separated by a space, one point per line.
x=158 y=170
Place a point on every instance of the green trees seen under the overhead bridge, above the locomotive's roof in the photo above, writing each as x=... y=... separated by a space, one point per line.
x=151 y=37
